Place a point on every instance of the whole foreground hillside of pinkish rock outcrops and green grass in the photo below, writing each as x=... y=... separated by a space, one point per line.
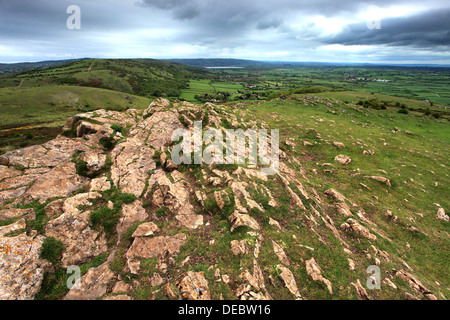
x=356 y=188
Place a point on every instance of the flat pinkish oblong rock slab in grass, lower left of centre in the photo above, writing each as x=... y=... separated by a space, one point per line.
x=156 y=247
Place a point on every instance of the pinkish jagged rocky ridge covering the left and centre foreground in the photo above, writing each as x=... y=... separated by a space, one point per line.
x=108 y=191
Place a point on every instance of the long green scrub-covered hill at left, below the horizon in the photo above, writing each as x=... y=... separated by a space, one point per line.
x=143 y=77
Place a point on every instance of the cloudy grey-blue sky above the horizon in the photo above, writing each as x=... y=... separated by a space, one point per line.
x=412 y=31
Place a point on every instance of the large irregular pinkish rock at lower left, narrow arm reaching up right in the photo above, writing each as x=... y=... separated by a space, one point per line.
x=73 y=229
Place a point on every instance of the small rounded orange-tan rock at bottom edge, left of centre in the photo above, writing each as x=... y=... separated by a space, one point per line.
x=193 y=286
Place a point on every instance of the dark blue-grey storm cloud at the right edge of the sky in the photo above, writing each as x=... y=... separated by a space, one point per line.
x=427 y=29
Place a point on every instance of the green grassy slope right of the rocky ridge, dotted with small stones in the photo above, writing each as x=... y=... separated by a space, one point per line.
x=416 y=165
